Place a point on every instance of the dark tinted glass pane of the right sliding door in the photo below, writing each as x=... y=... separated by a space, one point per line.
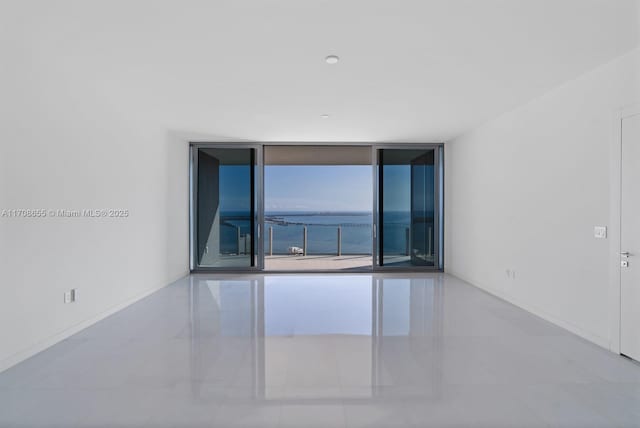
x=406 y=211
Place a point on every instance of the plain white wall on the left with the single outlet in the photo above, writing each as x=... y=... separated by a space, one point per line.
x=67 y=141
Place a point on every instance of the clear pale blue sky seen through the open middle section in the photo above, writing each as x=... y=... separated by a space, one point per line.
x=318 y=188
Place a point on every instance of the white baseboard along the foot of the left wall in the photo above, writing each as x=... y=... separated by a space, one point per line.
x=52 y=340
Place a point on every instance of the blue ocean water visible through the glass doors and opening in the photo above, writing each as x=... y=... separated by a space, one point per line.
x=322 y=231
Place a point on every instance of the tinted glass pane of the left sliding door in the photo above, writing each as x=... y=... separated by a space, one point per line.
x=225 y=208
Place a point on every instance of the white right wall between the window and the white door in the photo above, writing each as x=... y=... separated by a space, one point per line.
x=524 y=192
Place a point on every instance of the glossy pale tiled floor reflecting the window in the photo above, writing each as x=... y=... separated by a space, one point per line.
x=322 y=351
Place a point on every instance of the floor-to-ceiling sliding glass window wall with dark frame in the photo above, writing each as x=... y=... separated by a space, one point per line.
x=322 y=207
